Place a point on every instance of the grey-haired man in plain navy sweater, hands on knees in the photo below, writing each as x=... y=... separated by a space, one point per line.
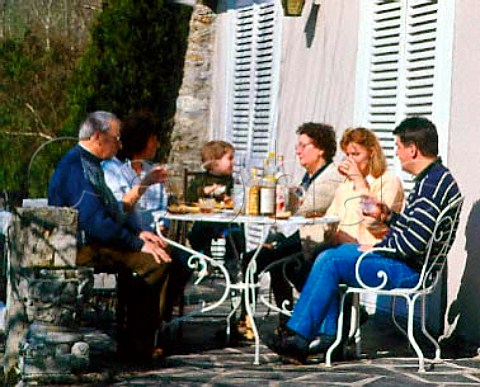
x=106 y=239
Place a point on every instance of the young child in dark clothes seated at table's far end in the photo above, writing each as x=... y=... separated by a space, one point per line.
x=217 y=182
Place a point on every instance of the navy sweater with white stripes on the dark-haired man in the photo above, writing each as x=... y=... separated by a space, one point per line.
x=410 y=231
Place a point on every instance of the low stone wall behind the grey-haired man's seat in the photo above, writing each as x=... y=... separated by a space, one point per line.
x=46 y=296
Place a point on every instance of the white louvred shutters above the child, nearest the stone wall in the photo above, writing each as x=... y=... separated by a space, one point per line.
x=253 y=104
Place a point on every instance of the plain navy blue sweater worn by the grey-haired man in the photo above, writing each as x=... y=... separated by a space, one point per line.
x=69 y=187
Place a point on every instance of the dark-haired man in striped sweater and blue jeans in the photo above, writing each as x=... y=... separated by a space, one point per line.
x=316 y=312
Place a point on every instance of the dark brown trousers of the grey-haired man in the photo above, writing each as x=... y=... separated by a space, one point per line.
x=142 y=285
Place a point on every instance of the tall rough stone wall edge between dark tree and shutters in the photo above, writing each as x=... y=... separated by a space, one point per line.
x=192 y=119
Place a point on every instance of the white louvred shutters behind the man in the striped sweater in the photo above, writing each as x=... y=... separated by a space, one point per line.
x=403 y=67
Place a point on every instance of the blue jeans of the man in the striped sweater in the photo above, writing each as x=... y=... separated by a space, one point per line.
x=317 y=308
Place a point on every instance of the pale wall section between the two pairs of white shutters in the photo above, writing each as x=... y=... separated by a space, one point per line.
x=317 y=79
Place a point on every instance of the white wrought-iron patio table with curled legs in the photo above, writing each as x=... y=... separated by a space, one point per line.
x=201 y=261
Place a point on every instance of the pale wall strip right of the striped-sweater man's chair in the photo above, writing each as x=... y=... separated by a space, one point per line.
x=464 y=161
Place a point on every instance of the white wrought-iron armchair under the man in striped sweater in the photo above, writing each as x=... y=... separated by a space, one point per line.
x=435 y=261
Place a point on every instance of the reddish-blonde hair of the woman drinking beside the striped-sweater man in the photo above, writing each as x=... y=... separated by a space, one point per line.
x=367 y=139
